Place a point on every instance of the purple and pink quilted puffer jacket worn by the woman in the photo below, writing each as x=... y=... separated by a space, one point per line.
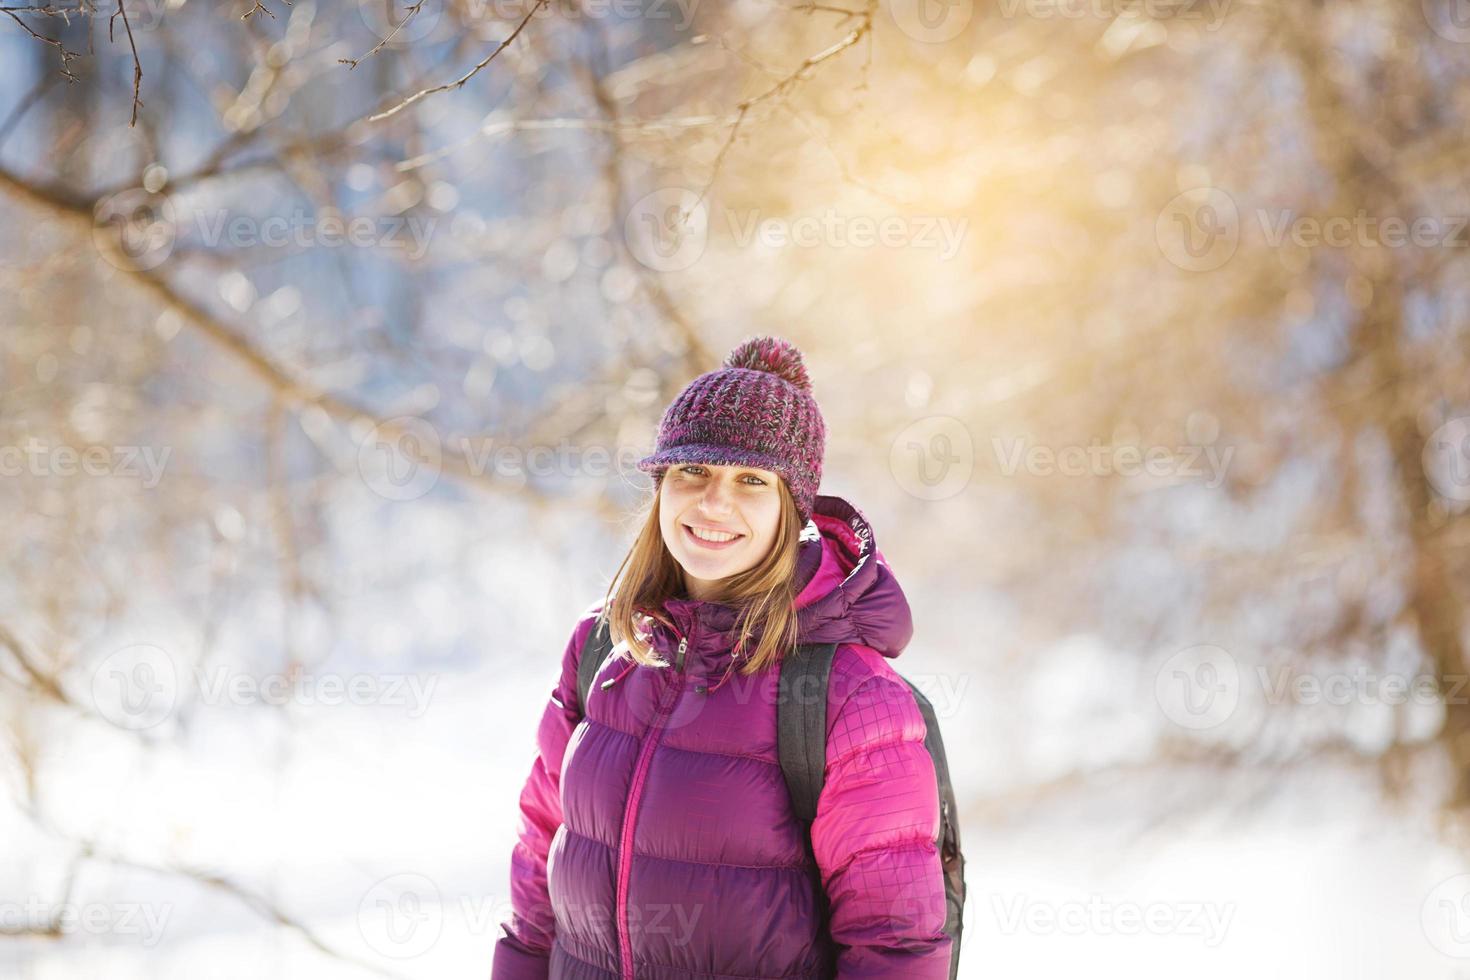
x=658 y=840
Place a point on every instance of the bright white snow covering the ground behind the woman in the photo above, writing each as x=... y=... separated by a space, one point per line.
x=390 y=835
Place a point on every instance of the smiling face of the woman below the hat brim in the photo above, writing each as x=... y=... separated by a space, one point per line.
x=718 y=502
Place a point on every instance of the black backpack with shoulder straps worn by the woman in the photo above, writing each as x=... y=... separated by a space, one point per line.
x=802 y=744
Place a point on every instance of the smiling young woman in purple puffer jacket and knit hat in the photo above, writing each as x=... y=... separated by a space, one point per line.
x=658 y=838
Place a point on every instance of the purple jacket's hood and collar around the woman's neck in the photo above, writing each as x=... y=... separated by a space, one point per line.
x=847 y=596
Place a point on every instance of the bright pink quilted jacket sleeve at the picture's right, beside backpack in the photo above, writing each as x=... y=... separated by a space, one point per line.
x=874 y=838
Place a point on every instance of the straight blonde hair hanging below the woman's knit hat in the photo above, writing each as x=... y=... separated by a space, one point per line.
x=764 y=594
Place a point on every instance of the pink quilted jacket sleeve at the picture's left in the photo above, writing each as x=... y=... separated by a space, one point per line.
x=526 y=951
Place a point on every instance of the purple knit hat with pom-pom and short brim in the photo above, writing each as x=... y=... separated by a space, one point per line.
x=756 y=411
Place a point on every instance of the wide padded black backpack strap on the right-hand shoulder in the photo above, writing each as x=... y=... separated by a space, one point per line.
x=802 y=725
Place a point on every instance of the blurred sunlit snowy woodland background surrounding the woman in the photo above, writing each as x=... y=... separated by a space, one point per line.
x=1156 y=412
